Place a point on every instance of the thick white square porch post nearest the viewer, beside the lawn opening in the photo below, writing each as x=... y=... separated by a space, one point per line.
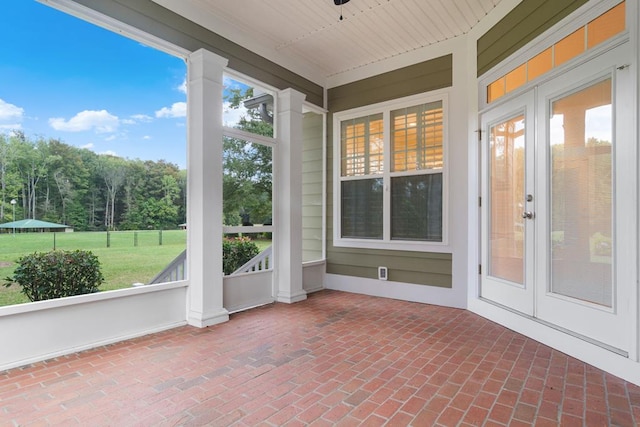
x=204 y=201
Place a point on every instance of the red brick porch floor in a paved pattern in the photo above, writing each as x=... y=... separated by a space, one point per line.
x=335 y=359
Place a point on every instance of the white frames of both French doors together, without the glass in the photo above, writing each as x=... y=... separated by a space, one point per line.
x=613 y=329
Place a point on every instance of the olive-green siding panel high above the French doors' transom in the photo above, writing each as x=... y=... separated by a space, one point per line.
x=524 y=23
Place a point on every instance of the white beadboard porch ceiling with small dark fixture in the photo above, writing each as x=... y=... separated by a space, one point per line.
x=308 y=37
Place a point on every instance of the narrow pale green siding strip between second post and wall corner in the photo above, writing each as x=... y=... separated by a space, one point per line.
x=312 y=179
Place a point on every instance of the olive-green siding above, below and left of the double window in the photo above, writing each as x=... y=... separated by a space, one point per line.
x=422 y=268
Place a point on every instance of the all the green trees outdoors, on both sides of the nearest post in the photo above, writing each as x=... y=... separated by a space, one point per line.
x=57 y=182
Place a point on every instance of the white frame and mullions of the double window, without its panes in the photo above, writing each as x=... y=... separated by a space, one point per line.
x=386 y=108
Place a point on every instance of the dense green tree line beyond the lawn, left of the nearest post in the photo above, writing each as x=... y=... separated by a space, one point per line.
x=56 y=182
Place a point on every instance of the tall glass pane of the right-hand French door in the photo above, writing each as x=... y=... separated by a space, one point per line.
x=581 y=194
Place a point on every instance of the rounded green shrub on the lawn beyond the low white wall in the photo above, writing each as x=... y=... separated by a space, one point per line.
x=57 y=274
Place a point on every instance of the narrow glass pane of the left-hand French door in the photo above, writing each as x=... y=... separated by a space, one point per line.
x=506 y=181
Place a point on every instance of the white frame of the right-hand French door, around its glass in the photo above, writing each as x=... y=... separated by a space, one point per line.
x=611 y=326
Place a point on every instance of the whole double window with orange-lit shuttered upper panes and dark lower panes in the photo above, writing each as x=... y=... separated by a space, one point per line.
x=391 y=174
